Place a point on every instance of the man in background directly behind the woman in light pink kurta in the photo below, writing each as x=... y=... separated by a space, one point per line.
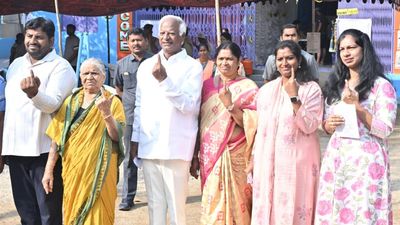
x=290 y=32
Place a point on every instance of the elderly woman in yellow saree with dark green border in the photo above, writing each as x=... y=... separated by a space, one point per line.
x=87 y=134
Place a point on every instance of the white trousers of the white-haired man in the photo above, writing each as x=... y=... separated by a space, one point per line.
x=167 y=183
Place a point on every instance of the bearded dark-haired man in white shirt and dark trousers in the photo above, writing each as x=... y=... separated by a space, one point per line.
x=37 y=84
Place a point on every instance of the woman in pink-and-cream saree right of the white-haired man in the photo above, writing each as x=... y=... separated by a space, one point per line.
x=227 y=129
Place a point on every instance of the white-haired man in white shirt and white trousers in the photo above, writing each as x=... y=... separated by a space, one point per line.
x=166 y=122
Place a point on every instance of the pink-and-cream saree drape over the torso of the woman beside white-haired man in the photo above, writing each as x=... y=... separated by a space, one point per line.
x=217 y=125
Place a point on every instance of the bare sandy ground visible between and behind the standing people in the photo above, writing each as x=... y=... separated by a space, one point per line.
x=138 y=215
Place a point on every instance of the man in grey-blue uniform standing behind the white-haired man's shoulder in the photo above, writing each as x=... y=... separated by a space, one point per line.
x=125 y=84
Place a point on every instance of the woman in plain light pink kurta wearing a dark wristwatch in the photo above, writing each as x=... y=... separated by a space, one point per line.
x=286 y=152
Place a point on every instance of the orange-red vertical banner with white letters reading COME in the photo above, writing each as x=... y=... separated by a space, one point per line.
x=124 y=23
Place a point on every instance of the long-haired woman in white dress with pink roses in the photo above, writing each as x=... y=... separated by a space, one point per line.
x=354 y=183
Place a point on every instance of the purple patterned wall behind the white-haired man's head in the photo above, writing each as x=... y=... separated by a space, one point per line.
x=238 y=18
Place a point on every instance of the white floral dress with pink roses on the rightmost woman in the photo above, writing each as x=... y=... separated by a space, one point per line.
x=354 y=178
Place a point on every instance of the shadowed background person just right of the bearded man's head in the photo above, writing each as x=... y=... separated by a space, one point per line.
x=71 y=46
